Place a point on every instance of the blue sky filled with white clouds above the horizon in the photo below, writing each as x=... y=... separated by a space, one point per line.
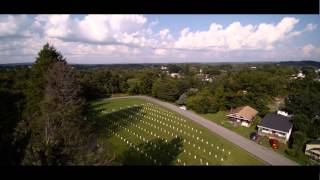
x=92 y=39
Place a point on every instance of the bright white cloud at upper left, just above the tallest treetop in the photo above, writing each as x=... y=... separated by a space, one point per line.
x=92 y=28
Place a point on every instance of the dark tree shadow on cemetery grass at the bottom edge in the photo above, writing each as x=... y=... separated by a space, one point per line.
x=165 y=153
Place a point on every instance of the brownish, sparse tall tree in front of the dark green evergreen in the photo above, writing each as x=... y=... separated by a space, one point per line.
x=59 y=134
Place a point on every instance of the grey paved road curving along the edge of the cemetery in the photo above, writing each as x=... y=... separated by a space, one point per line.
x=259 y=151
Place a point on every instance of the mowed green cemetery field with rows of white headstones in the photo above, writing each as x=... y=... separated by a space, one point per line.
x=143 y=133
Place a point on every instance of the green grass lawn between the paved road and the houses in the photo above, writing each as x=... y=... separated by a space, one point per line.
x=221 y=119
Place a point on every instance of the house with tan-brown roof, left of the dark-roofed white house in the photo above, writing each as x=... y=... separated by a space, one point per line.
x=243 y=115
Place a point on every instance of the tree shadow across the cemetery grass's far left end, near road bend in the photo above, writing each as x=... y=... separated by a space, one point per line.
x=104 y=122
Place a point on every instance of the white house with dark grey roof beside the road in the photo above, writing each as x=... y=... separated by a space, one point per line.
x=275 y=126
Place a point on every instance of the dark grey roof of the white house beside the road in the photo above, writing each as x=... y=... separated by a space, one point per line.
x=276 y=122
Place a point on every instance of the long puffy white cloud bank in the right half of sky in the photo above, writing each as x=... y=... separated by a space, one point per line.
x=237 y=36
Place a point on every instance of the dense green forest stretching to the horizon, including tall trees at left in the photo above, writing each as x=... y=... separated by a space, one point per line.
x=44 y=114
